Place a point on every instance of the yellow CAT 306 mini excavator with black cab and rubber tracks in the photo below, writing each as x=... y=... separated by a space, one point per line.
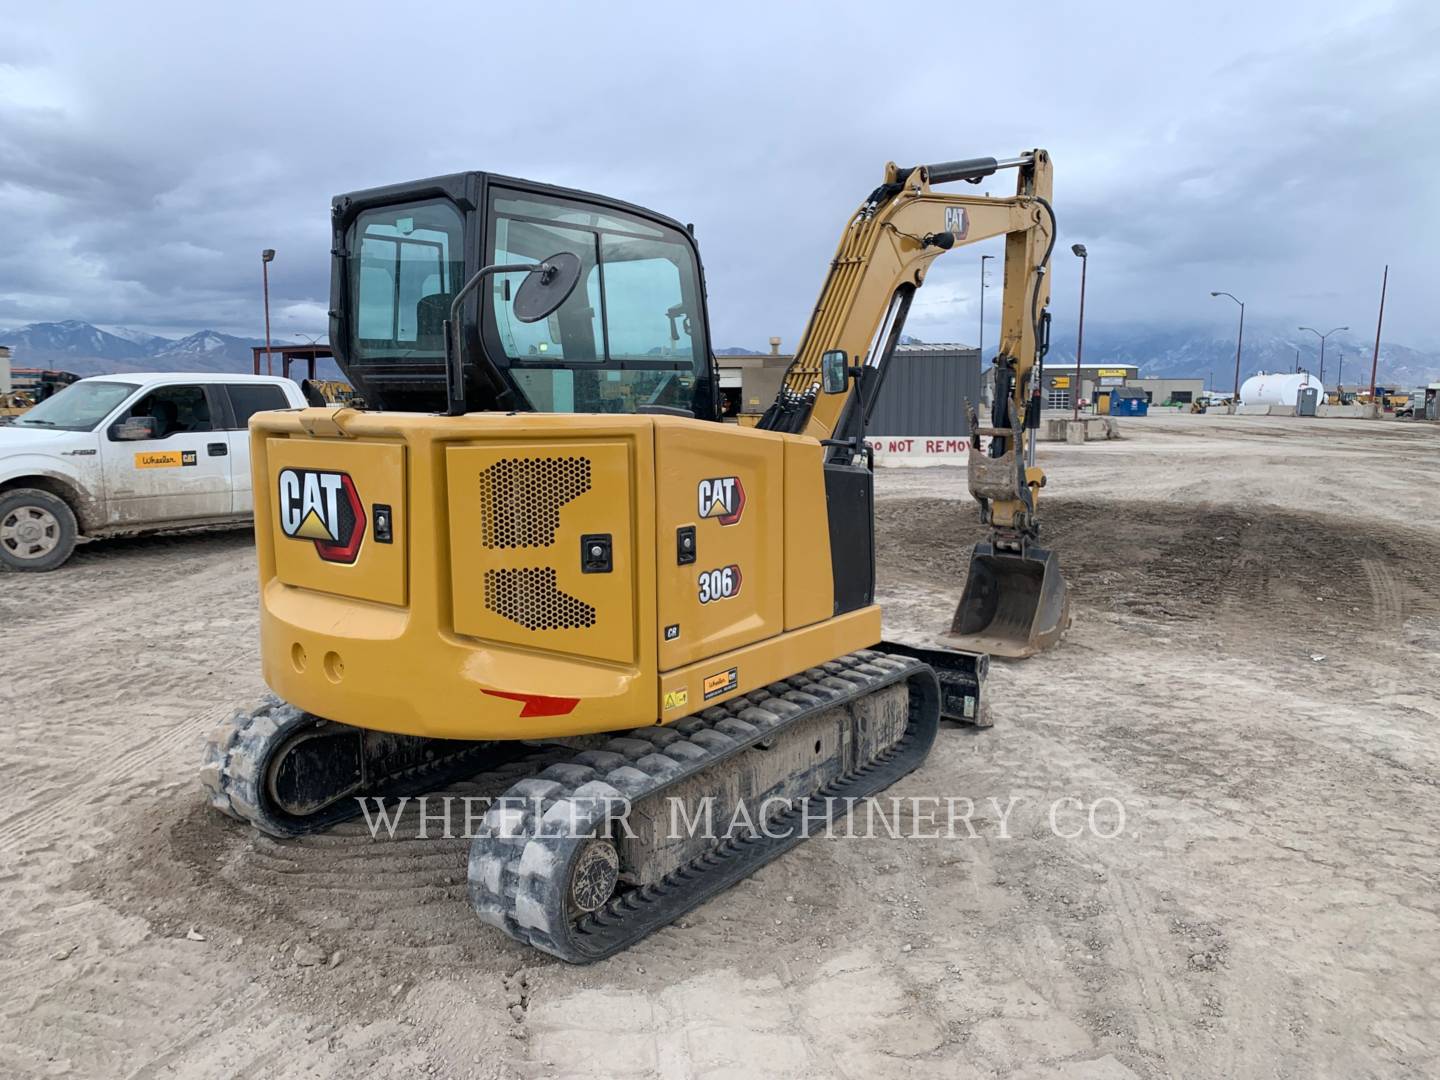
x=541 y=552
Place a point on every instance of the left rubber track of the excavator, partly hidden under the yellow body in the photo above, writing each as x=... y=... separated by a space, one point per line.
x=237 y=757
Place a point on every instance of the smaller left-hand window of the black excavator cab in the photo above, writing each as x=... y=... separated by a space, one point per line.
x=405 y=267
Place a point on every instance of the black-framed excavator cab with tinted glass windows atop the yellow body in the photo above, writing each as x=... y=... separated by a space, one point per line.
x=630 y=338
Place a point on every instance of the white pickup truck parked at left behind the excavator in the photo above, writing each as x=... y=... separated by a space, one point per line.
x=129 y=454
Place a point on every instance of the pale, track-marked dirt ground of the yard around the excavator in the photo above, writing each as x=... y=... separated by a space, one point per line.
x=1251 y=676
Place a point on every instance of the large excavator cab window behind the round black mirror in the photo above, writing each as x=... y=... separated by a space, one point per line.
x=629 y=336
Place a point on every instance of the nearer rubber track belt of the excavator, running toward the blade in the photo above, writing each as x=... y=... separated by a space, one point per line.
x=521 y=862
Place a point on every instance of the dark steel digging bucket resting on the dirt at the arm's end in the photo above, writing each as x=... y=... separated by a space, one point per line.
x=1014 y=606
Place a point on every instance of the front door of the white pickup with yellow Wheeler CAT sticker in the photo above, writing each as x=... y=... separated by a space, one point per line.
x=181 y=474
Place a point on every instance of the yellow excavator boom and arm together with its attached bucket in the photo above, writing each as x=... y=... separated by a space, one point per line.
x=1014 y=601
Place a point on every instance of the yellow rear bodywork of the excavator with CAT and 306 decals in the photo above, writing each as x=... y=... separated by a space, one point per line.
x=447 y=660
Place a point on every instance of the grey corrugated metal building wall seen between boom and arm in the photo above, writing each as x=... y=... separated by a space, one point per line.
x=925 y=391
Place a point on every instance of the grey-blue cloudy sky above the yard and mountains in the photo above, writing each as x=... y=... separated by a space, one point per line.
x=1284 y=152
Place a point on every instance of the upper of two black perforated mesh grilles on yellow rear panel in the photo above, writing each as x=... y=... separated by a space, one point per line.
x=521 y=499
